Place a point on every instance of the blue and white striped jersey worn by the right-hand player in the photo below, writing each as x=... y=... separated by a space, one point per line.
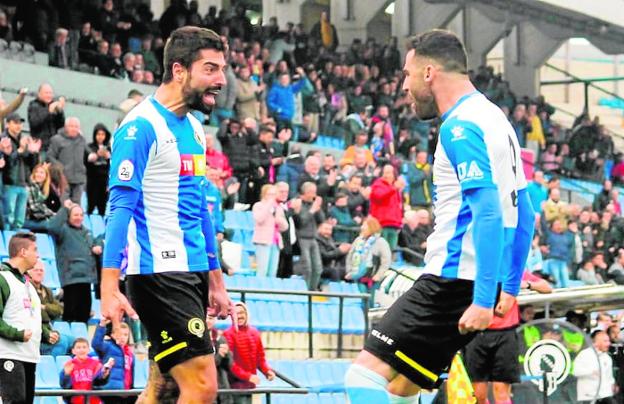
x=477 y=147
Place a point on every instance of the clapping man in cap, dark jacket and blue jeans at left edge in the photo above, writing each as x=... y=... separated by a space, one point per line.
x=20 y=156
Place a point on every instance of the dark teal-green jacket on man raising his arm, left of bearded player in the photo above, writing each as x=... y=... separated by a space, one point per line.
x=76 y=263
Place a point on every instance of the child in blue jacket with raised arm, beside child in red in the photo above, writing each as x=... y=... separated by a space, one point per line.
x=117 y=348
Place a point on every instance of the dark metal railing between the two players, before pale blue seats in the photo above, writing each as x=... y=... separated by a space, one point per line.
x=341 y=296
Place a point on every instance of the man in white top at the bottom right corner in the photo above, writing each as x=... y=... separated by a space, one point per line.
x=595 y=379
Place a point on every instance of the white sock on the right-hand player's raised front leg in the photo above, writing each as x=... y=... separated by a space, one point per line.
x=363 y=386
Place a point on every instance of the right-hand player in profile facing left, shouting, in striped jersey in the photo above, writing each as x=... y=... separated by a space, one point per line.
x=483 y=228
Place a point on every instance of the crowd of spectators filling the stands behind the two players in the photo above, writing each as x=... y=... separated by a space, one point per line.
x=346 y=218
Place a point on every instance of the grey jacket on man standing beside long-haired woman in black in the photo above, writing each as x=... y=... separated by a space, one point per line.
x=71 y=153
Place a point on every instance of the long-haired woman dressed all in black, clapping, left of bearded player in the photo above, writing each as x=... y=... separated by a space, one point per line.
x=98 y=164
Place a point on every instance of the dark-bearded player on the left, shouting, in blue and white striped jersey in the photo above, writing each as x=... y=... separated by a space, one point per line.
x=157 y=209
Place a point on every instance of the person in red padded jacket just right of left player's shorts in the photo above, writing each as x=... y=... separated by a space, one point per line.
x=248 y=352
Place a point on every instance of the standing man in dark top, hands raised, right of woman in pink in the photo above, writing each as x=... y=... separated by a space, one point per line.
x=307 y=215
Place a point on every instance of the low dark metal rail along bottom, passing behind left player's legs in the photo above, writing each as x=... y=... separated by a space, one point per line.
x=267 y=391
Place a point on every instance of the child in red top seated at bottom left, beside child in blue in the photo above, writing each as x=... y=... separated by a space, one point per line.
x=83 y=372
